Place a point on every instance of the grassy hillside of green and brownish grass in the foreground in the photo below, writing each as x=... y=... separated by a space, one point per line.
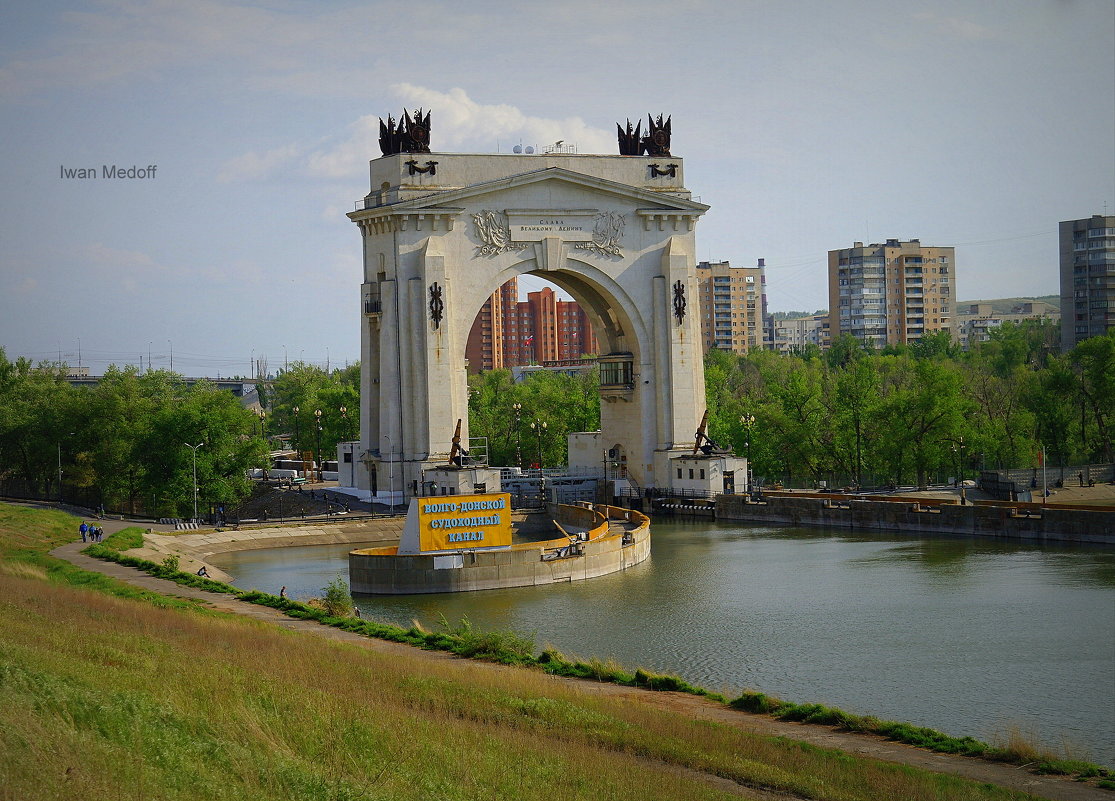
x=108 y=692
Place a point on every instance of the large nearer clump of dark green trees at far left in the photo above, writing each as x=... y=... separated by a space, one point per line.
x=125 y=443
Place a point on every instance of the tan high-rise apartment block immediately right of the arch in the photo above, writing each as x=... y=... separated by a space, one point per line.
x=733 y=306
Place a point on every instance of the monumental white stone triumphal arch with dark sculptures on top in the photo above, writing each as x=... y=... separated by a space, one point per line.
x=442 y=231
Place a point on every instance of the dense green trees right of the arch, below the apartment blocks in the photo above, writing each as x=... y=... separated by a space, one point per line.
x=917 y=413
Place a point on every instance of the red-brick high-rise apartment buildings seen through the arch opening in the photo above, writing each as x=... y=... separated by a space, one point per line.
x=510 y=333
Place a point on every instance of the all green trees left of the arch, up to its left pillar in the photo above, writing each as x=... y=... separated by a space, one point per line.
x=131 y=443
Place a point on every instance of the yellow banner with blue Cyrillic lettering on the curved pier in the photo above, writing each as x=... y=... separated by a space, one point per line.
x=460 y=523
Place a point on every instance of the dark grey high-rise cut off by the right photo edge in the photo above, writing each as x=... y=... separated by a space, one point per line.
x=1088 y=278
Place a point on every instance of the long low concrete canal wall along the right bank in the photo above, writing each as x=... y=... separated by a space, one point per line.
x=1026 y=522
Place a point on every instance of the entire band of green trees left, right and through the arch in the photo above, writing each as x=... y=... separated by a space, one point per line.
x=851 y=416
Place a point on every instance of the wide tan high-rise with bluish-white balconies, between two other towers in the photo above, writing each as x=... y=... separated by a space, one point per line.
x=891 y=294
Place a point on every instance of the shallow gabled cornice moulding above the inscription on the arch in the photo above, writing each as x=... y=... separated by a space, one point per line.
x=644 y=199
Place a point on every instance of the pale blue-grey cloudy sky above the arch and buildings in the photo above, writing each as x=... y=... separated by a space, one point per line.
x=804 y=126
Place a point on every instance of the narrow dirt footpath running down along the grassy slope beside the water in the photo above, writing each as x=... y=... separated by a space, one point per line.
x=692 y=707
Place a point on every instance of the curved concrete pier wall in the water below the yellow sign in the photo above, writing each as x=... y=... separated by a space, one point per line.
x=608 y=551
